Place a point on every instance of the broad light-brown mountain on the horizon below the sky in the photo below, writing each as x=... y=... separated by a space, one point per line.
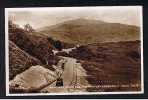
x=84 y=31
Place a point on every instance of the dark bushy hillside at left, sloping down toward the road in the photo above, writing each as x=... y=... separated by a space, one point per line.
x=35 y=44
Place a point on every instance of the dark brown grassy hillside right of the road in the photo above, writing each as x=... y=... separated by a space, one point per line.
x=112 y=63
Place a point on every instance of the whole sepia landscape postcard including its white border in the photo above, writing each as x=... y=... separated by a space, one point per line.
x=74 y=50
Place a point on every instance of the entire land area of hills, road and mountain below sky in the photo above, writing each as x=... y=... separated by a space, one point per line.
x=75 y=56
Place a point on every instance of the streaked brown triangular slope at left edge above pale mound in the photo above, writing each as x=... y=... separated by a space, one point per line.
x=19 y=60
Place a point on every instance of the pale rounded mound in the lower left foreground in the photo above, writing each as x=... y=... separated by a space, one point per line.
x=32 y=80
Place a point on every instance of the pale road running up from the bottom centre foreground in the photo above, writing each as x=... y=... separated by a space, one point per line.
x=73 y=78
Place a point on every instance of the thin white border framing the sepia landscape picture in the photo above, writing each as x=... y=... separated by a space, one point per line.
x=75 y=93
